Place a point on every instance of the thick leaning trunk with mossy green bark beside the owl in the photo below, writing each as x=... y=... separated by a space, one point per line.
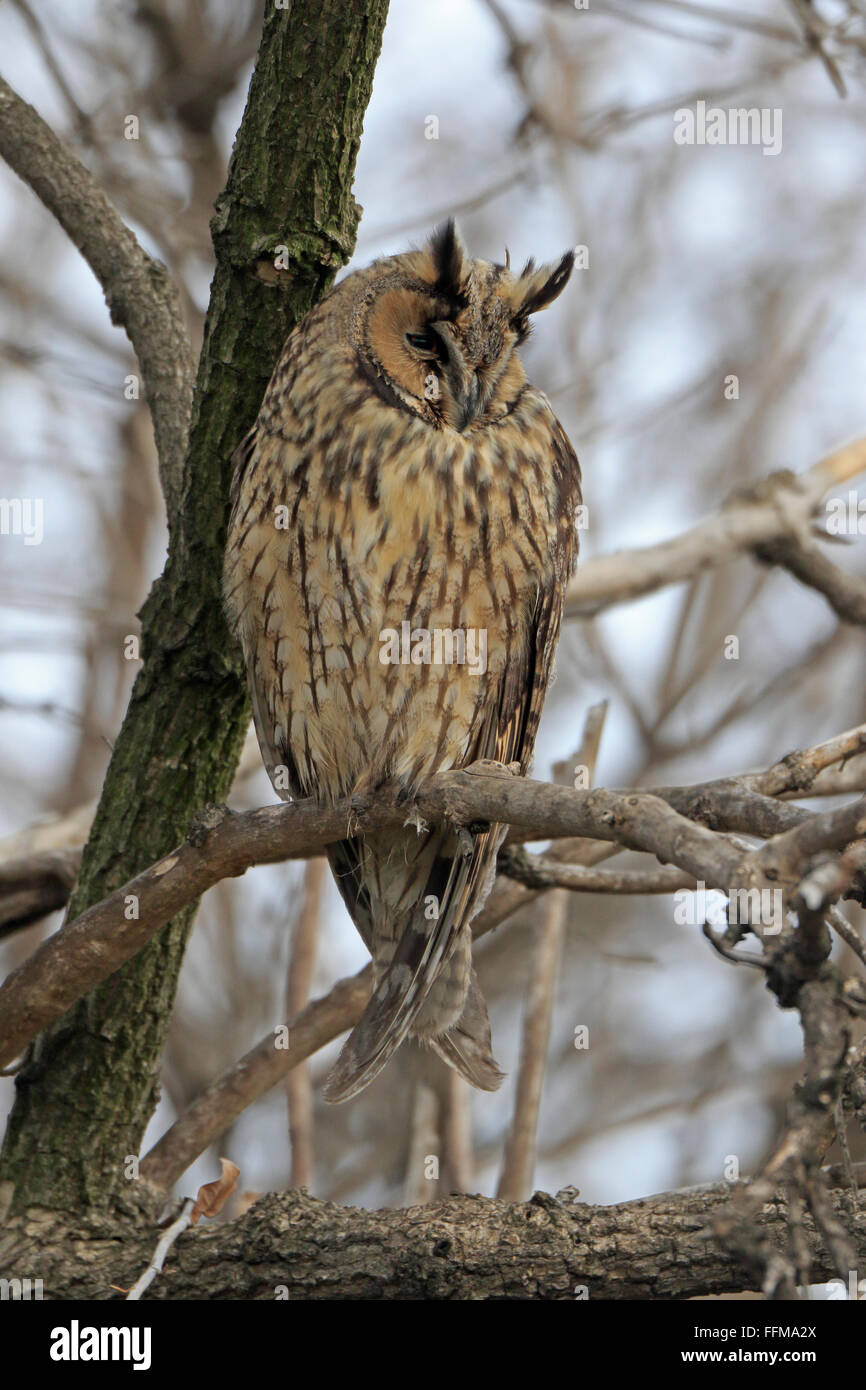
x=91 y=1084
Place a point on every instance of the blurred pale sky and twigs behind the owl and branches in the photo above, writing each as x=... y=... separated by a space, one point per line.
x=540 y=126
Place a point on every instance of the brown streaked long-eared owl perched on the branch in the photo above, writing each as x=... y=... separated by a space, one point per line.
x=402 y=532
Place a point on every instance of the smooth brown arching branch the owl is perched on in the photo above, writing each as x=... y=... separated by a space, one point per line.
x=224 y=844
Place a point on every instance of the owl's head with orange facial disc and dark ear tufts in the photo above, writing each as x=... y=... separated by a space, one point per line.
x=436 y=333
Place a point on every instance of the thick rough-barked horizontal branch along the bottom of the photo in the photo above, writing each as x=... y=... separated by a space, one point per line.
x=465 y=1249
